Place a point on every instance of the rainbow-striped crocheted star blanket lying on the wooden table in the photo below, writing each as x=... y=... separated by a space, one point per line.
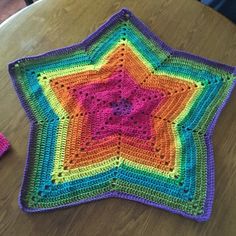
x=124 y=115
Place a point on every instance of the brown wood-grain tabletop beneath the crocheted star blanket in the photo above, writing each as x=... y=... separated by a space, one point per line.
x=50 y=24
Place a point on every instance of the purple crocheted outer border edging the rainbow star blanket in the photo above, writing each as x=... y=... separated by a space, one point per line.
x=85 y=44
